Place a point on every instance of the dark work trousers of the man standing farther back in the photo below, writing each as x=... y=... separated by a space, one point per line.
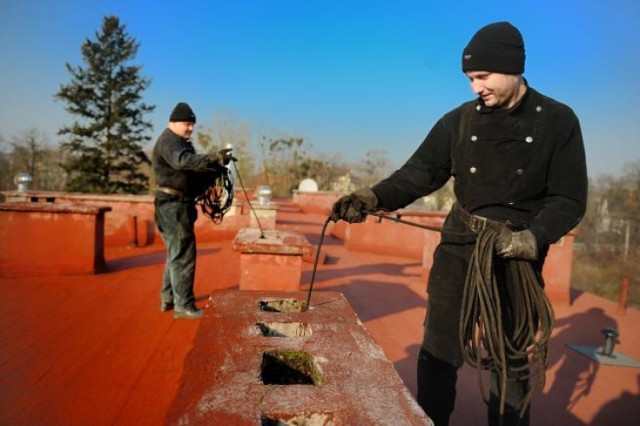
x=174 y=218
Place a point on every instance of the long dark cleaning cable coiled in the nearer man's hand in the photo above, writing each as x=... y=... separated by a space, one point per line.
x=485 y=342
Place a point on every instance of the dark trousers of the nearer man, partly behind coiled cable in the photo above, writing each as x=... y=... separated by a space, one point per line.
x=441 y=355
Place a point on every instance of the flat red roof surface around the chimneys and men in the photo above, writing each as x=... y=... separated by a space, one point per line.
x=95 y=349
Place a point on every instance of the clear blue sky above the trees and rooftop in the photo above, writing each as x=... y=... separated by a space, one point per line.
x=347 y=76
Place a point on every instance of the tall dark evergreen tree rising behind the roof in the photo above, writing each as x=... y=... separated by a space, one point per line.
x=105 y=141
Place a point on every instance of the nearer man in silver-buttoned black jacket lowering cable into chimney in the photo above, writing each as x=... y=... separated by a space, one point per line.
x=518 y=163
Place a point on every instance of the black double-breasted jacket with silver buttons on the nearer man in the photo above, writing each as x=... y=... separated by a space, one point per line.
x=524 y=165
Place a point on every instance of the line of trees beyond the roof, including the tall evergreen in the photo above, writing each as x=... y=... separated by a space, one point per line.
x=102 y=150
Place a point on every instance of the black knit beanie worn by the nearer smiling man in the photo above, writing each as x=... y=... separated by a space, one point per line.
x=497 y=47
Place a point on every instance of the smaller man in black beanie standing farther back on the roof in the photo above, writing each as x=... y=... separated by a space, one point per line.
x=179 y=172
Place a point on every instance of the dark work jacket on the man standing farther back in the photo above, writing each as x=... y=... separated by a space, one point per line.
x=176 y=165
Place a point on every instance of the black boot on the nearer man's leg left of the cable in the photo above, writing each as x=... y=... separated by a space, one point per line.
x=436 y=387
